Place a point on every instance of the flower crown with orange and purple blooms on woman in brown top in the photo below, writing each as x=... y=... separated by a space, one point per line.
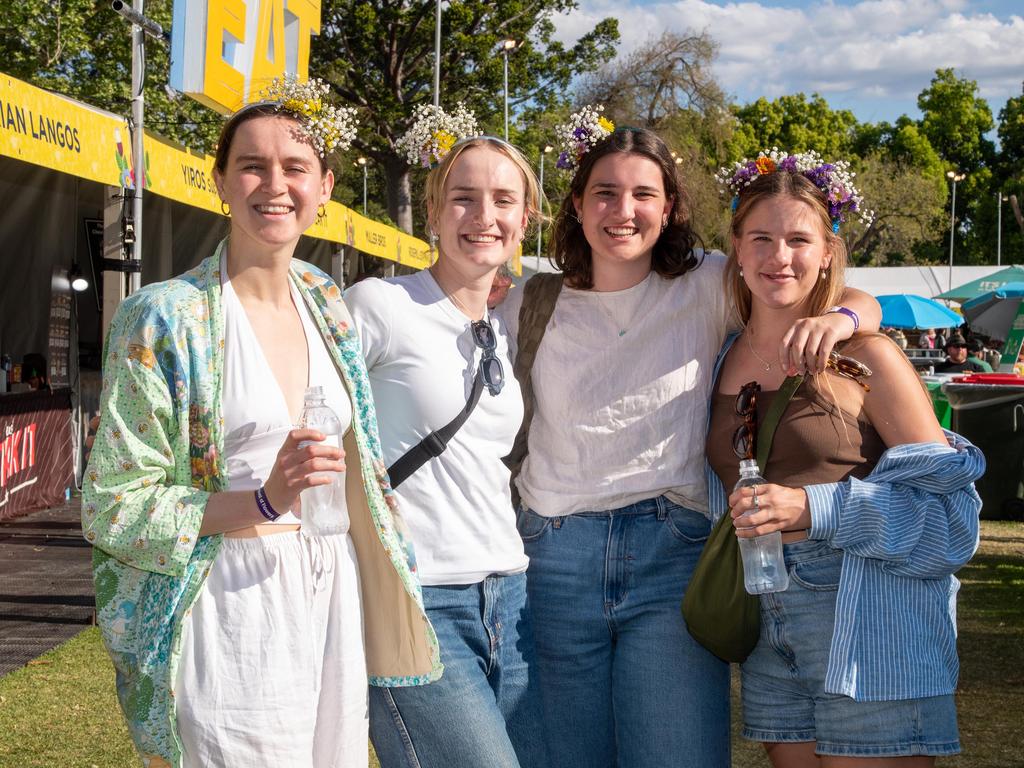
x=835 y=180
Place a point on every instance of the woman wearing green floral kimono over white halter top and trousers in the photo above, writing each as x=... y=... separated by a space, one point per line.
x=239 y=639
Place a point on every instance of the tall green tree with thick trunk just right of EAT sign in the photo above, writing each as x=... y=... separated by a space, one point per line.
x=379 y=57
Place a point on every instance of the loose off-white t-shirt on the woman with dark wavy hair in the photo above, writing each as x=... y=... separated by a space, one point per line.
x=622 y=383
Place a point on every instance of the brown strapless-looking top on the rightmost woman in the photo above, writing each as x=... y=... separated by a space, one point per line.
x=816 y=442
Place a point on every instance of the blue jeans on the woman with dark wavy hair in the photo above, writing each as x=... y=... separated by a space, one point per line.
x=624 y=685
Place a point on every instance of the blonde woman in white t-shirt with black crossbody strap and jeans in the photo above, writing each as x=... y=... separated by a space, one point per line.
x=428 y=337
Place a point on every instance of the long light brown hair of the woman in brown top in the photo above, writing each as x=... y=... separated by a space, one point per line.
x=784 y=185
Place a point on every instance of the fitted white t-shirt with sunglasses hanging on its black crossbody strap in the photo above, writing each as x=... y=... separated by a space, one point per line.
x=422 y=360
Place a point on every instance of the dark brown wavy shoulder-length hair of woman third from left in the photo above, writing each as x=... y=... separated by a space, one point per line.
x=674 y=252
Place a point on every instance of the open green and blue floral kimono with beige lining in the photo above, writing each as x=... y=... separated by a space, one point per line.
x=159 y=456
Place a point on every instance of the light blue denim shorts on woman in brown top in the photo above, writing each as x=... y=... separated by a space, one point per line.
x=784 y=679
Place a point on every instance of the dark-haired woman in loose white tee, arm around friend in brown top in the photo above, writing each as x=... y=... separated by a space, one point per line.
x=615 y=509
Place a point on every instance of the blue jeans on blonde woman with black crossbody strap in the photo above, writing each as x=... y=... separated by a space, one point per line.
x=486 y=710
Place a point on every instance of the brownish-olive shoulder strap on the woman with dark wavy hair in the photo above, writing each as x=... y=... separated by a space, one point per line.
x=539 y=298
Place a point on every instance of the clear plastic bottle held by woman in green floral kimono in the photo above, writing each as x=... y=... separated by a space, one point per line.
x=324 y=508
